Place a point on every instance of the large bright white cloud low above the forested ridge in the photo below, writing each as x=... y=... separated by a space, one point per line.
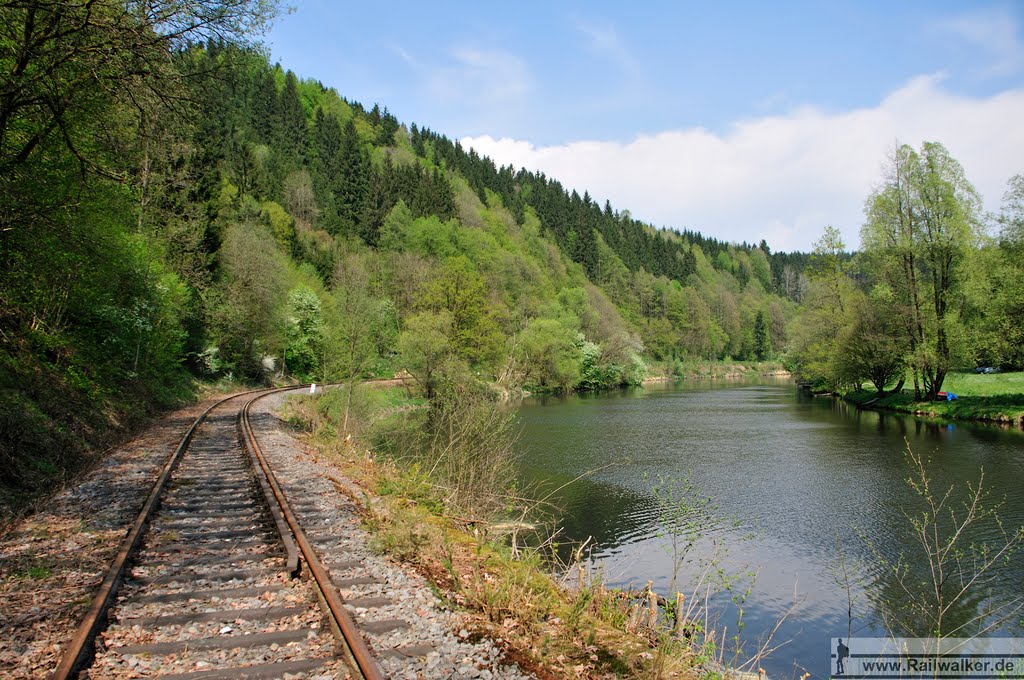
x=783 y=178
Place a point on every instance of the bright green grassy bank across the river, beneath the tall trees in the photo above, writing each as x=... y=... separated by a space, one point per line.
x=993 y=398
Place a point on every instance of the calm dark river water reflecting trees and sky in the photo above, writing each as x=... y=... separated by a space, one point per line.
x=804 y=478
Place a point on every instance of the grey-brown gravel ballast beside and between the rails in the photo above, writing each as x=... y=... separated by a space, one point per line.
x=53 y=562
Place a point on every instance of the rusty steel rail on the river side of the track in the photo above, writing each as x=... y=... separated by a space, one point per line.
x=365 y=662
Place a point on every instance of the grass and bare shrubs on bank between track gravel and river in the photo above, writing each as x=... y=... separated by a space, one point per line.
x=500 y=563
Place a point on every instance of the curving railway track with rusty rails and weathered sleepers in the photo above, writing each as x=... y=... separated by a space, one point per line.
x=205 y=584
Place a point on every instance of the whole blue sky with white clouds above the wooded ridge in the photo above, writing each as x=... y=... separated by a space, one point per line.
x=742 y=120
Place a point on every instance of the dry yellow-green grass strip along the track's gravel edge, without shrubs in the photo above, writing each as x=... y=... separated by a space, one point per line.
x=557 y=626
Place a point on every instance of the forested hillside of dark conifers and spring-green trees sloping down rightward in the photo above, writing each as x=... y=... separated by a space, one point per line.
x=176 y=206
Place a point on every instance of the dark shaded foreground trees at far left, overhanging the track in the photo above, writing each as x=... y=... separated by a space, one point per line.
x=101 y=258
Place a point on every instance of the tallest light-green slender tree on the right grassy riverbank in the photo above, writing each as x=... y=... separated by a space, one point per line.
x=920 y=225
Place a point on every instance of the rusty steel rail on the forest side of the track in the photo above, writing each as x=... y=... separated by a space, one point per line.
x=81 y=647
